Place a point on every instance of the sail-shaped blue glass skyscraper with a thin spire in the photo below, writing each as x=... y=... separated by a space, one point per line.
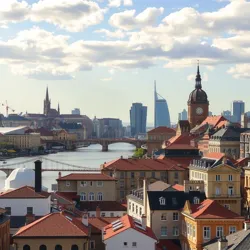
x=162 y=117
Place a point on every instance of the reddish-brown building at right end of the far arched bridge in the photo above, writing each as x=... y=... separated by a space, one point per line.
x=156 y=137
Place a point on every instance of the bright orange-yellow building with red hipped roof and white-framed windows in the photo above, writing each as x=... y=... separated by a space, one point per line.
x=207 y=221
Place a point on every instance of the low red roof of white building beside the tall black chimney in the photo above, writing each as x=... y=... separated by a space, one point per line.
x=24 y=192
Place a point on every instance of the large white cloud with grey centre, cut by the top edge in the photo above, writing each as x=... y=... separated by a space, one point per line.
x=73 y=15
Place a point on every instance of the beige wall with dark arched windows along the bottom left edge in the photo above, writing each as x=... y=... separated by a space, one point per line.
x=51 y=243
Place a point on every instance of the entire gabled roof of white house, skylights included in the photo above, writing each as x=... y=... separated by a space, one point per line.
x=124 y=223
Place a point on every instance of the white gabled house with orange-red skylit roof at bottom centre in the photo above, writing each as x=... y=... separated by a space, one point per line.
x=130 y=234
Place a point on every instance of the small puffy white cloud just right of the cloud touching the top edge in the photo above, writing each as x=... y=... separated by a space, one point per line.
x=127 y=20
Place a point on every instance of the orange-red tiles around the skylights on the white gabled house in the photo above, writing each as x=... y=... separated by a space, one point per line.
x=127 y=222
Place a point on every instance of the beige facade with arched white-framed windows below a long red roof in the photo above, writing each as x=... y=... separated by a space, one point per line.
x=90 y=190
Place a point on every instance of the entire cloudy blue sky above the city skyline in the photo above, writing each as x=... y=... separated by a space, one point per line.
x=101 y=56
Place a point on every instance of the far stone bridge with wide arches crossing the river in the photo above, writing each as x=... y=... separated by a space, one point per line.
x=103 y=142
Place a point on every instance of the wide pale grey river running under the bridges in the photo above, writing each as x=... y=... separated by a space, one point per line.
x=91 y=156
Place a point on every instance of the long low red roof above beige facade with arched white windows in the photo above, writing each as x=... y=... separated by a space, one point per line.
x=86 y=177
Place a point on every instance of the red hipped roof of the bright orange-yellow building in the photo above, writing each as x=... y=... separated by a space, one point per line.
x=211 y=209
